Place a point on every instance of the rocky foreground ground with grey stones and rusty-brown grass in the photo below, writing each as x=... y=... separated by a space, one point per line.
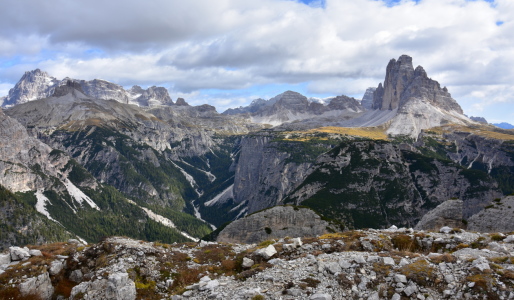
x=368 y=264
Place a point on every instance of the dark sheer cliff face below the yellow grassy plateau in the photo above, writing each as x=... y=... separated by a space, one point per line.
x=361 y=183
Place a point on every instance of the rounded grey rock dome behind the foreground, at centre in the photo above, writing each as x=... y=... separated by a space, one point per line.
x=276 y=222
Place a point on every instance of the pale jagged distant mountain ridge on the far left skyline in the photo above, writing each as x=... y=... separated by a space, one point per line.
x=37 y=84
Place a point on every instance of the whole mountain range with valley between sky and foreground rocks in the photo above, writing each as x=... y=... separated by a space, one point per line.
x=93 y=159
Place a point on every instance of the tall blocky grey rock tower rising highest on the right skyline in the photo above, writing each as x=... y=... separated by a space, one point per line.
x=404 y=83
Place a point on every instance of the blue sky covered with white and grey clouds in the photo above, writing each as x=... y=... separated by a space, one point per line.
x=229 y=52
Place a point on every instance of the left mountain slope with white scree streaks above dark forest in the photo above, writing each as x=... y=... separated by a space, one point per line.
x=68 y=196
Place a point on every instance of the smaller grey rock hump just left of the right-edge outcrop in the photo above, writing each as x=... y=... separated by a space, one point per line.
x=448 y=213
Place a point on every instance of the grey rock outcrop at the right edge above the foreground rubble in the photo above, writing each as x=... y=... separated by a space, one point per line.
x=496 y=217
